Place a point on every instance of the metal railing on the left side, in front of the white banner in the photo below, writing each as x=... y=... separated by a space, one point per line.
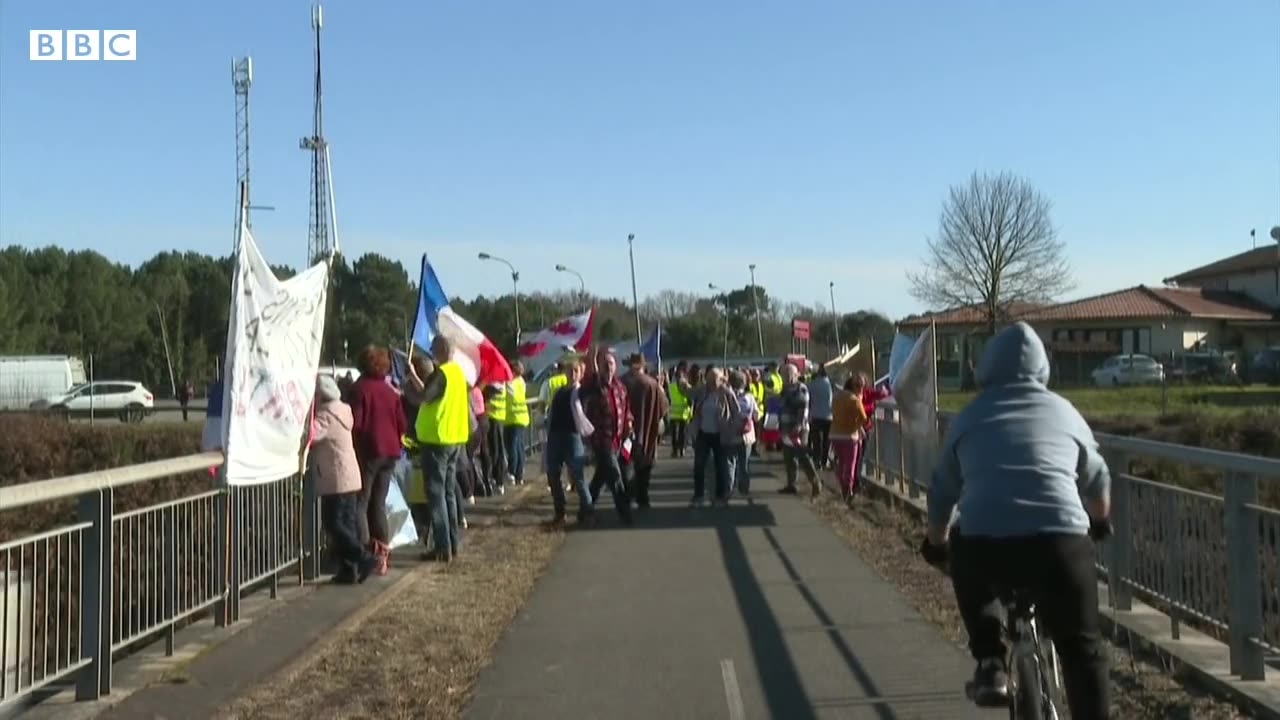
x=80 y=596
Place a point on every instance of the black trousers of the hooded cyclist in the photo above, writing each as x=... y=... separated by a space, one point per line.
x=1059 y=573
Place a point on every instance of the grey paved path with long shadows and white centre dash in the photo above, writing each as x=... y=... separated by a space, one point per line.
x=752 y=612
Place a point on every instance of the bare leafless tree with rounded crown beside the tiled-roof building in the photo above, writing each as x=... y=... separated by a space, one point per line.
x=996 y=250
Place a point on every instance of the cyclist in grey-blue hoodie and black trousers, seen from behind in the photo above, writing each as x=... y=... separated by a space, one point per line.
x=1023 y=470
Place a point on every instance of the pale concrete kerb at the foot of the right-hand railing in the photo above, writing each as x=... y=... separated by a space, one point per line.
x=1205 y=658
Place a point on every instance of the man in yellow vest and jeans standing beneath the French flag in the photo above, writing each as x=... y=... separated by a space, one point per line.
x=444 y=427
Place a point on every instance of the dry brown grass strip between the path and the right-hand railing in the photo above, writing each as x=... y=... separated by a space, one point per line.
x=889 y=541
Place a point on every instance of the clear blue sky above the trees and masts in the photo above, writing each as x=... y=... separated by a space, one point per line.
x=815 y=139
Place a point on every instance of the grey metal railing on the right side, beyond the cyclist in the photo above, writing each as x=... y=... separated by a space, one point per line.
x=1212 y=560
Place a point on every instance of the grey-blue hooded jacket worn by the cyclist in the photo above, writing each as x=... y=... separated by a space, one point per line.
x=1018 y=459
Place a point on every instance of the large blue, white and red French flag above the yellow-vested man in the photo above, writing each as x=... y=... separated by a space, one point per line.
x=479 y=358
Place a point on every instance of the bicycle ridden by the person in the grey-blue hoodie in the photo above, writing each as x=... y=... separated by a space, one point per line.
x=1035 y=675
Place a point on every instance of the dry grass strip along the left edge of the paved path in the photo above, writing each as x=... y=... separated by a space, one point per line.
x=420 y=654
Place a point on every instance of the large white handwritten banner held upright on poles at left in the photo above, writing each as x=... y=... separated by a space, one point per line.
x=273 y=350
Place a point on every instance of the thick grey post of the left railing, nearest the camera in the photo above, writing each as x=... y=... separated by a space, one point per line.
x=95 y=603
